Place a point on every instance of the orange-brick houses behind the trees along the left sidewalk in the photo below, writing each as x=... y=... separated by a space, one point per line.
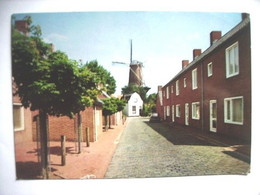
x=26 y=124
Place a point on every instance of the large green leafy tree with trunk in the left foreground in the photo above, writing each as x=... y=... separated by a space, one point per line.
x=49 y=82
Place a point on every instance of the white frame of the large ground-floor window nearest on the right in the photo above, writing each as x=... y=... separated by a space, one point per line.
x=228 y=118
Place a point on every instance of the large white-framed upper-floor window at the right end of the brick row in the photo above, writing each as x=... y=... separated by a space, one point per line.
x=232 y=62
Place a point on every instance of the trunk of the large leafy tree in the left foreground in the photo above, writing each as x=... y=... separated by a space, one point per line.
x=44 y=139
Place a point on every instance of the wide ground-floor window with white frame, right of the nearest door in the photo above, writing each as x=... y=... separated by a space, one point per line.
x=234 y=110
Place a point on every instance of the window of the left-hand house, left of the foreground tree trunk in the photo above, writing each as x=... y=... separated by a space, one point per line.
x=18 y=112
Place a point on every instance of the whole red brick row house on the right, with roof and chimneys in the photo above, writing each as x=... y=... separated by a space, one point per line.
x=213 y=92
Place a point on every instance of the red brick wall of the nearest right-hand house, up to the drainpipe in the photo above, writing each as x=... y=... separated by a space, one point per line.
x=218 y=87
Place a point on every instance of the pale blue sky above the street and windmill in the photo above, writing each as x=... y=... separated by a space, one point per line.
x=161 y=40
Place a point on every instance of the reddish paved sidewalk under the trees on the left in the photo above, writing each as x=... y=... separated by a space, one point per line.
x=92 y=162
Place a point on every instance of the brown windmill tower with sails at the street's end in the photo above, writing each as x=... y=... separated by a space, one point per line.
x=135 y=70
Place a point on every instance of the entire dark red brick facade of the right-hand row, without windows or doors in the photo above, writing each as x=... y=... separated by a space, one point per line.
x=216 y=87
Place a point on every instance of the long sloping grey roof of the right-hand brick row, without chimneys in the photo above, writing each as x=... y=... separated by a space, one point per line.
x=215 y=45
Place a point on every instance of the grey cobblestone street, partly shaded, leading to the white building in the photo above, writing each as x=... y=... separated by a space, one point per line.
x=158 y=150
